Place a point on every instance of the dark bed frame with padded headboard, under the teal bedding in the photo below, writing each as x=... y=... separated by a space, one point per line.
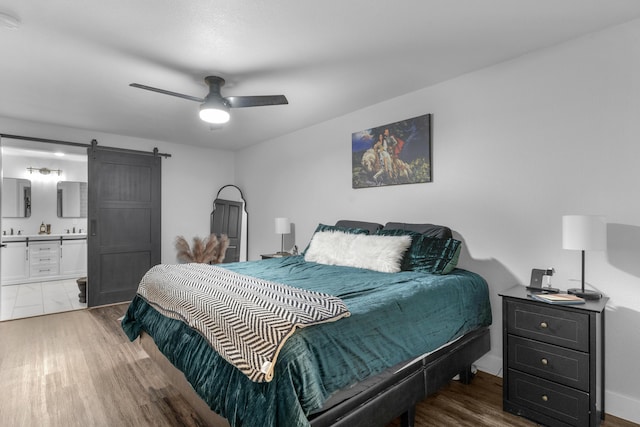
x=382 y=398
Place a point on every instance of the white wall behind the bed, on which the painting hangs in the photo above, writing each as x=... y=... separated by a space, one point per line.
x=516 y=146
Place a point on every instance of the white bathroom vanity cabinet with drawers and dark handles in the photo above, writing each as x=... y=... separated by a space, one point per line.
x=43 y=257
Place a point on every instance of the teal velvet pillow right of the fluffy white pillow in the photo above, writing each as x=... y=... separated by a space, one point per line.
x=428 y=254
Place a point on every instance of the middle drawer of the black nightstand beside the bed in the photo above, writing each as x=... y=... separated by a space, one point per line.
x=568 y=367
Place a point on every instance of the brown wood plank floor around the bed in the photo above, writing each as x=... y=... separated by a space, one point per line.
x=79 y=369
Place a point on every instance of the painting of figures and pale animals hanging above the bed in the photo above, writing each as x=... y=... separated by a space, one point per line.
x=392 y=154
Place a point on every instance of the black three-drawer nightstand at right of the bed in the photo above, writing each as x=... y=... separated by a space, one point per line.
x=553 y=360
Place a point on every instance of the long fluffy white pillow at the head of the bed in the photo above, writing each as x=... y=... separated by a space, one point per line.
x=379 y=253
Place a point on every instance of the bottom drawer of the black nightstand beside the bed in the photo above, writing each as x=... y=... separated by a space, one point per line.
x=563 y=403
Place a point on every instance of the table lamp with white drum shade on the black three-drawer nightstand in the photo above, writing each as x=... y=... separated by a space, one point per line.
x=584 y=233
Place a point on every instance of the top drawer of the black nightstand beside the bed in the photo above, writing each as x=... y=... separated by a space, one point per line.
x=549 y=324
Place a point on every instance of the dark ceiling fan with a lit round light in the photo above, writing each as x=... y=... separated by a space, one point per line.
x=214 y=107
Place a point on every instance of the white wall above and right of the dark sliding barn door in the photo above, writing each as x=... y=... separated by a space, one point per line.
x=191 y=177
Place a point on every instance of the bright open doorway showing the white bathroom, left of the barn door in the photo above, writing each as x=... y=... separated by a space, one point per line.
x=44 y=222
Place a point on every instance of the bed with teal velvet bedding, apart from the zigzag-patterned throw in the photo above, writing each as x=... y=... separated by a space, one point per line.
x=407 y=334
